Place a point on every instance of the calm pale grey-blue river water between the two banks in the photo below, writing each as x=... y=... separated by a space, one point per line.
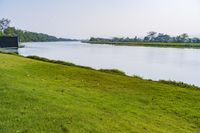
x=148 y=62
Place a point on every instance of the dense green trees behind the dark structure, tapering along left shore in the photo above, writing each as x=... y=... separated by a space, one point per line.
x=26 y=36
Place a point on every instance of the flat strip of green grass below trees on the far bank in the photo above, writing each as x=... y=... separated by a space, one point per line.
x=148 y=44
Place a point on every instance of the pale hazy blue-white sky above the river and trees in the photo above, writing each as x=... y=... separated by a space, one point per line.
x=82 y=19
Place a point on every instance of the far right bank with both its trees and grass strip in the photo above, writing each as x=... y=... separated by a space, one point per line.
x=152 y=39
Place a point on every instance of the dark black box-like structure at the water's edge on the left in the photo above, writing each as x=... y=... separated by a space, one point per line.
x=6 y=41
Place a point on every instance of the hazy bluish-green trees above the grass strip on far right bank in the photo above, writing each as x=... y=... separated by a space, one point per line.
x=152 y=37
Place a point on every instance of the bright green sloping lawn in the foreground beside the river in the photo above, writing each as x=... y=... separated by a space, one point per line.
x=38 y=96
